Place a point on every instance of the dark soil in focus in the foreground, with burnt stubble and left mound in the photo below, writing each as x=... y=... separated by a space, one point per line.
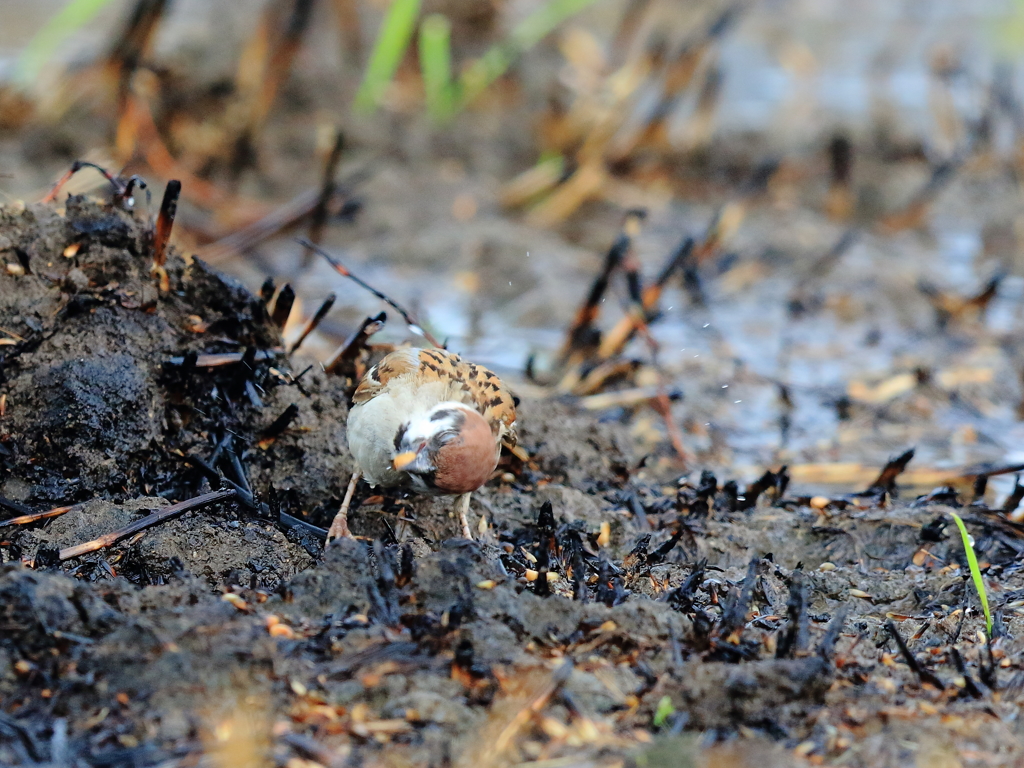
x=229 y=632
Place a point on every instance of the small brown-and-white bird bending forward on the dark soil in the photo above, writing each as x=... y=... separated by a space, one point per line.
x=428 y=420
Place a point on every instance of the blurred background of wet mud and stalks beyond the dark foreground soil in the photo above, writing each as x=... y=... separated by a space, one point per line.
x=849 y=174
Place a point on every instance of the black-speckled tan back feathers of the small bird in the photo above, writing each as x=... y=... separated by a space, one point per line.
x=471 y=383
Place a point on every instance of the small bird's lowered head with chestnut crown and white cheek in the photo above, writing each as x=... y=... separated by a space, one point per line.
x=449 y=450
